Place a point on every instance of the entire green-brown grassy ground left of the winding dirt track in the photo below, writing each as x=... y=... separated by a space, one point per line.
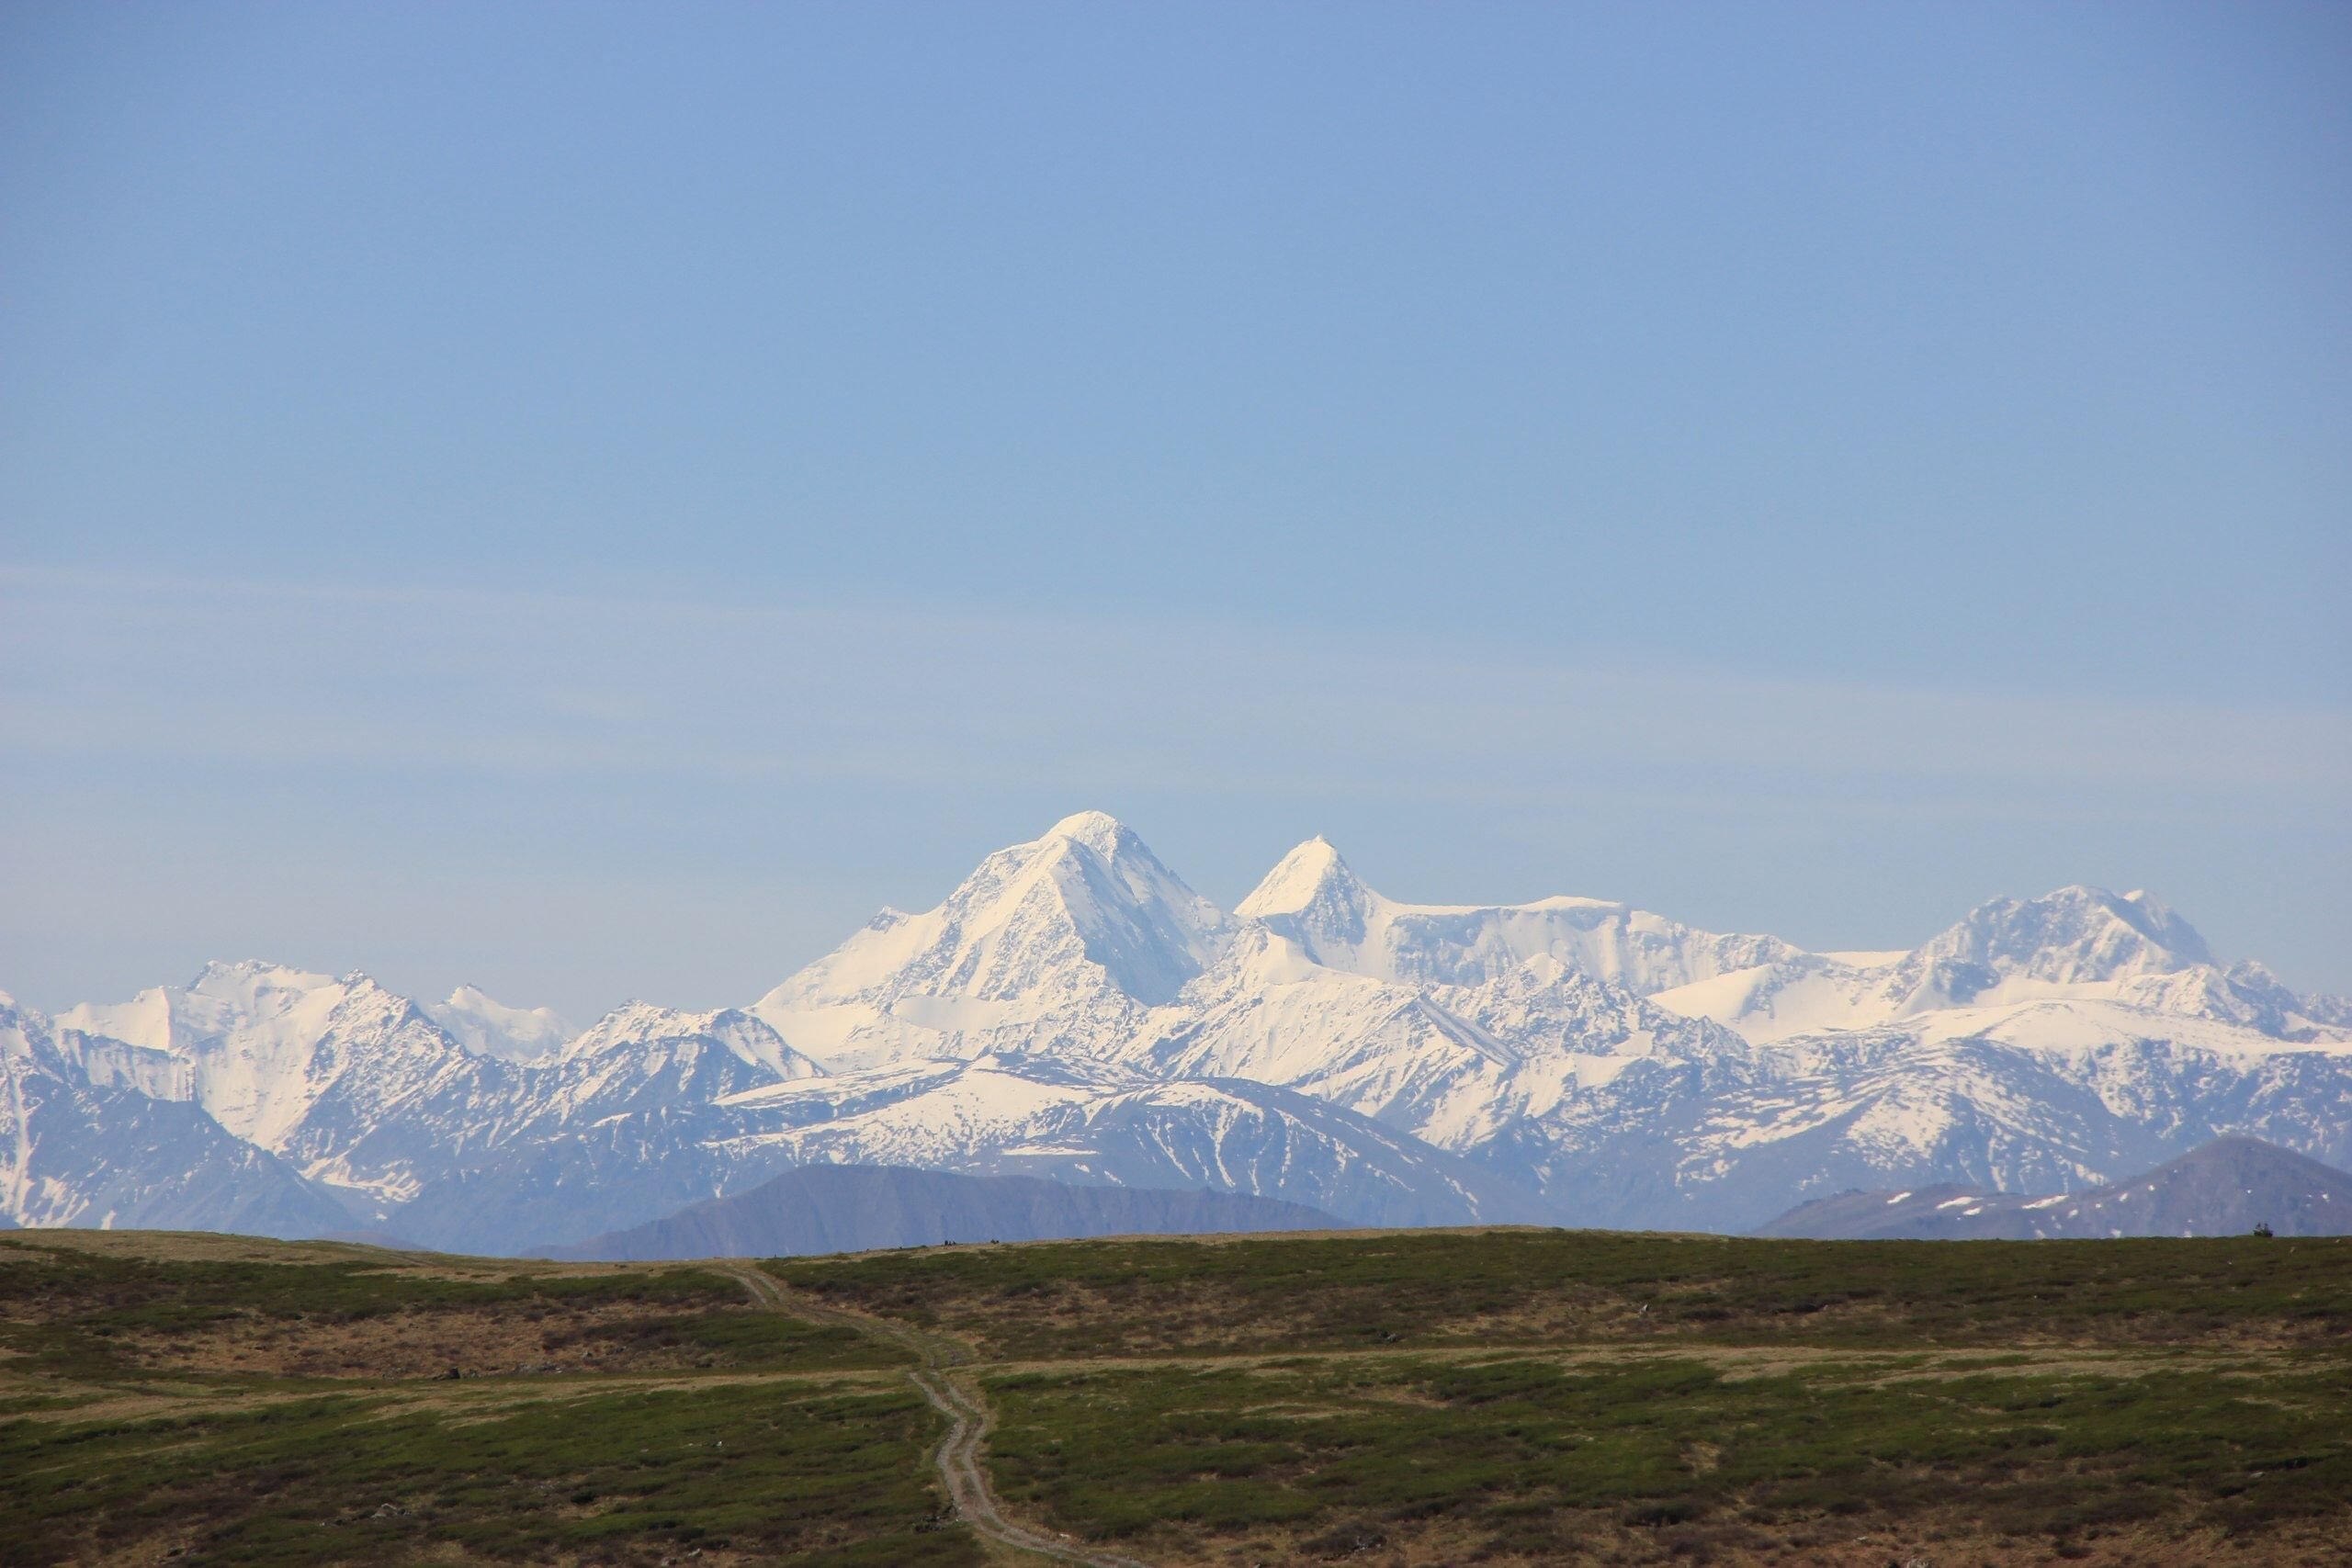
x=761 y=1438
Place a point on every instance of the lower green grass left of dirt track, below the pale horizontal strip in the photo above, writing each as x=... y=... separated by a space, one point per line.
x=801 y=1475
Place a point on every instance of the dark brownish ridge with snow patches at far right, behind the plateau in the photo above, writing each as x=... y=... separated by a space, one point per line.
x=2221 y=1188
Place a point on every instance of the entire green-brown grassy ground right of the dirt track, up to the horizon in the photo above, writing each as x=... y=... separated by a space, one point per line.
x=1551 y=1398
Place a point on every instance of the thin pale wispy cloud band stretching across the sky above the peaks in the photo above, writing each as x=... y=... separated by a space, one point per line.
x=512 y=683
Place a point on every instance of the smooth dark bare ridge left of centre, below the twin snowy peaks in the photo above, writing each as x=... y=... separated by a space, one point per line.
x=857 y=1209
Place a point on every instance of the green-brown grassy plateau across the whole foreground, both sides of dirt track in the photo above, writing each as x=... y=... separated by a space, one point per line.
x=1377 y=1398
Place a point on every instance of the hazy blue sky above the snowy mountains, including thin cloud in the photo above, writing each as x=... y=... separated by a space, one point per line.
x=596 y=500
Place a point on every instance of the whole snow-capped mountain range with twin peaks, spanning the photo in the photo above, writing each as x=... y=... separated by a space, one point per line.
x=1076 y=1012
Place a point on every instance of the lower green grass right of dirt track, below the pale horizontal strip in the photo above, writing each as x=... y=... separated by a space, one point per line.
x=1528 y=1459
